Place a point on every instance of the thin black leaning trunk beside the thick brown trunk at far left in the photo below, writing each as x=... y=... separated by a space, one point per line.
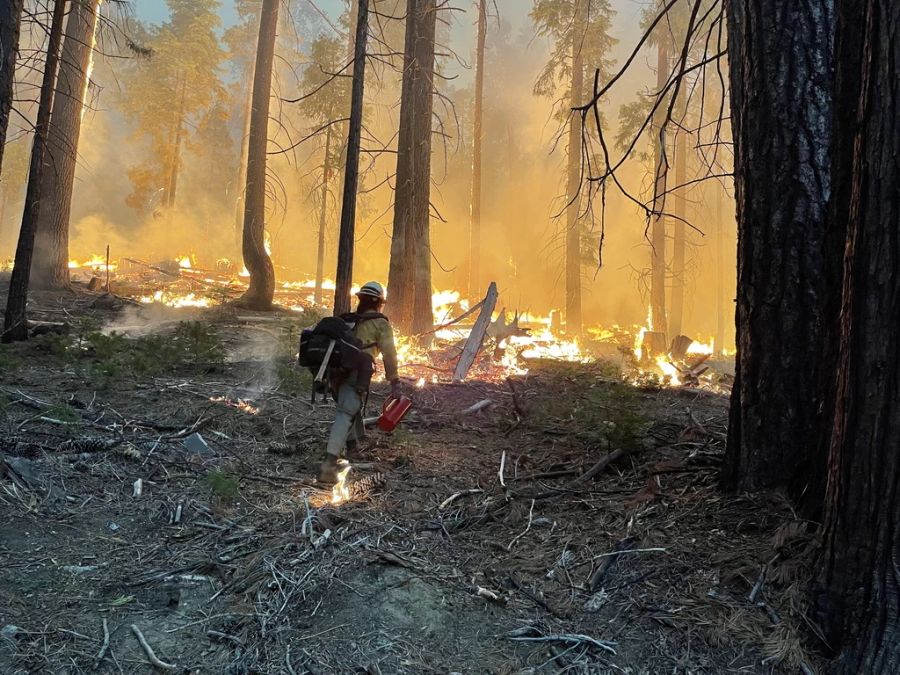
x=15 y=326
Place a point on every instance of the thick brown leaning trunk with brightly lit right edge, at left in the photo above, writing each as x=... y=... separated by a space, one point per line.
x=51 y=245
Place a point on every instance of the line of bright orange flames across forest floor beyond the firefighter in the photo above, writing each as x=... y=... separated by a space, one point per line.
x=511 y=356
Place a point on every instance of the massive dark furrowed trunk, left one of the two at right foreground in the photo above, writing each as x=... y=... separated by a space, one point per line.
x=780 y=65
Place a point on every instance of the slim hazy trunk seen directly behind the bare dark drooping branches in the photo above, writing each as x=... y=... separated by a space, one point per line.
x=658 y=227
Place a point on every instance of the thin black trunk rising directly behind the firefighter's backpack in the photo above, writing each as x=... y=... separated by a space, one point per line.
x=347 y=236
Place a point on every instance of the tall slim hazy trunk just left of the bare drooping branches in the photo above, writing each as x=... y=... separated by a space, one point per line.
x=573 y=175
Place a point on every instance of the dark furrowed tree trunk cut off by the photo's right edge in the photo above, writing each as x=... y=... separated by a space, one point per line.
x=859 y=592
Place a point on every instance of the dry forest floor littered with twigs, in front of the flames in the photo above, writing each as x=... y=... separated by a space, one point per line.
x=231 y=559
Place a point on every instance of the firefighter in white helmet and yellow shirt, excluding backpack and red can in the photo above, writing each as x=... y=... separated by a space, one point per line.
x=374 y=330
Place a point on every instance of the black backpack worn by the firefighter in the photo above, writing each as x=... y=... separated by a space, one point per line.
x=331 y=348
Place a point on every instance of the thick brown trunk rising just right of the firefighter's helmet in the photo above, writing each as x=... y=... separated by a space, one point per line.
x=409 y=281
